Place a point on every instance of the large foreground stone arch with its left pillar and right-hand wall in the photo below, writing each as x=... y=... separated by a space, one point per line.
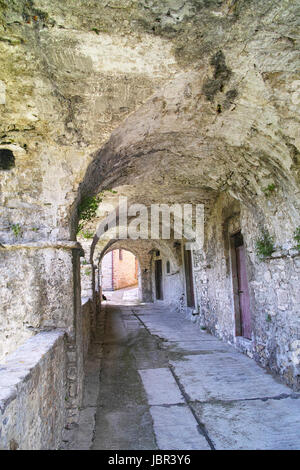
x=191 y=116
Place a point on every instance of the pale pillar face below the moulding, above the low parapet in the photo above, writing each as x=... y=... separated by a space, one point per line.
x=36 y=285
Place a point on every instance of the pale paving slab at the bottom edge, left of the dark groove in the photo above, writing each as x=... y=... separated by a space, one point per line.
x=175 y=429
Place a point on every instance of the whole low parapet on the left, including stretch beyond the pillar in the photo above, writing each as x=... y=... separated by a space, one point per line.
x=47 y=370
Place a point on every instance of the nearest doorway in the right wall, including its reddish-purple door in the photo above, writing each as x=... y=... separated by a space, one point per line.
x=243 y=323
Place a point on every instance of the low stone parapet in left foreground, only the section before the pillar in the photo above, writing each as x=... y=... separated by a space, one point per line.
x=32 y=381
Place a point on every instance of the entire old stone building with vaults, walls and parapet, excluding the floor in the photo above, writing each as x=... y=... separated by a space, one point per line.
x=162 y=102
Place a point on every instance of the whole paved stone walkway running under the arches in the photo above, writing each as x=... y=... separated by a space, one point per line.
x=165 y=384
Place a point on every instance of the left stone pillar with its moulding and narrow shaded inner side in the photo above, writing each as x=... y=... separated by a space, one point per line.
x=40 y=285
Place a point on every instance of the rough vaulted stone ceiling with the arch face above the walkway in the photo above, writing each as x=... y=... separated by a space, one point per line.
x=165 y=101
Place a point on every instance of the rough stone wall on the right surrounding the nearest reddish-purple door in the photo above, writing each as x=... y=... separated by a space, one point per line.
x=273 y=288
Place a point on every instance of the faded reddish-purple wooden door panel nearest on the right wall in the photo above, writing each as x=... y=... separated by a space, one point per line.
x=243 y=292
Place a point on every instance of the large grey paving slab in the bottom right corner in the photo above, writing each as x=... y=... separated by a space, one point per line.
x=252 y=425
